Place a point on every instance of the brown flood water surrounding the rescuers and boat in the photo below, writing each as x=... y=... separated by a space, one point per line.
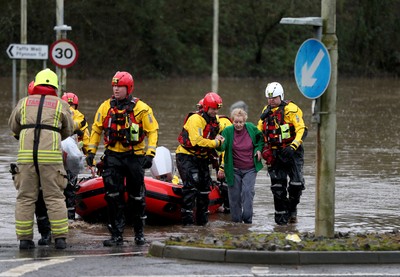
x=367 y=192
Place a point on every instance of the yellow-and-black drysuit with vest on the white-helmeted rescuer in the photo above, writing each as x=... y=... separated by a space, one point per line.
x=284 y=132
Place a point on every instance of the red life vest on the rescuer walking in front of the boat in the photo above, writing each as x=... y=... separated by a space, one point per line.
x=120 y=124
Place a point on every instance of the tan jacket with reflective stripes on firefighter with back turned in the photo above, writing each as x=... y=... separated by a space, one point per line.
x=56 y=122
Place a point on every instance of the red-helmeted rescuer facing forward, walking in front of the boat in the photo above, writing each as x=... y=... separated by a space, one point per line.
x=125 y=121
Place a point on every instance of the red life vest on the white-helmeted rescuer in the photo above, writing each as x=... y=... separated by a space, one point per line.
x=277 y=132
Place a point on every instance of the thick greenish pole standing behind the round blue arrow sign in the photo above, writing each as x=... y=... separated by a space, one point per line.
x=326 y=134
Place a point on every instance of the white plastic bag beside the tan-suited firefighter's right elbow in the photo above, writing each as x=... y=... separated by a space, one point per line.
x=73 y=156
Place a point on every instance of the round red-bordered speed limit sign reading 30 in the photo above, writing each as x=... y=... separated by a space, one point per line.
x=63 y=53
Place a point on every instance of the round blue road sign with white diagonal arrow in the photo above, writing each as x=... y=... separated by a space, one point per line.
x=312 y=68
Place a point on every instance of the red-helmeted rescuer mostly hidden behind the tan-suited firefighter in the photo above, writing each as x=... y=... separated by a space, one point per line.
x=81 y=129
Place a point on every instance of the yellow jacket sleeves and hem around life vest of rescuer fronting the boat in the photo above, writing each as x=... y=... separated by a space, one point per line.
x=143 y=114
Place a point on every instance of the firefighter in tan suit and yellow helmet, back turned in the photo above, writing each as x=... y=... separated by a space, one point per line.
x=40 y=121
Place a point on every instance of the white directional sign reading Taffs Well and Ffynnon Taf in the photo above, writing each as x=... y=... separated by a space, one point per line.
x=28 y=51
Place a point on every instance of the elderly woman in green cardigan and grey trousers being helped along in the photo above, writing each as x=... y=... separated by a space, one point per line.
x=242 y=160
